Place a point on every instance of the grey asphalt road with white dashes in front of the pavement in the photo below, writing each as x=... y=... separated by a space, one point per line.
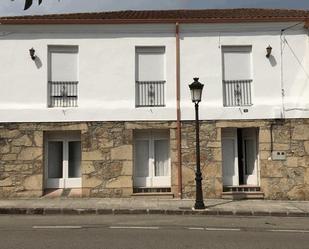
x=152 y=231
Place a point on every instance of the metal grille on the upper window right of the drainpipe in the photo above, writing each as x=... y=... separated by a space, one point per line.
x=237 y=92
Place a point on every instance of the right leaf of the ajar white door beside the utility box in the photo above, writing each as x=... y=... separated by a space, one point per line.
x=249 y=145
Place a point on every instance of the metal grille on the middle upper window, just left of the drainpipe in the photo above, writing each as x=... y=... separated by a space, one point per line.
x=150 y=93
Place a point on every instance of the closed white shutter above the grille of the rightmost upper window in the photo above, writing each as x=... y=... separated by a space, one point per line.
x=237 y=63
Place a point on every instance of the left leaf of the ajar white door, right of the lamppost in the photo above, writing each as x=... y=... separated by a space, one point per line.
x=230 y=157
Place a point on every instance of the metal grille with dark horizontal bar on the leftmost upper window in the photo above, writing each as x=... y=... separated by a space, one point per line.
x=62 y=94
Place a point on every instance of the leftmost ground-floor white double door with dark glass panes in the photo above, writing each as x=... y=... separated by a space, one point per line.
x=63 y=158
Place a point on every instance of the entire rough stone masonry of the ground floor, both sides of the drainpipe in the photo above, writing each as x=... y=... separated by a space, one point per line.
x=107 y=157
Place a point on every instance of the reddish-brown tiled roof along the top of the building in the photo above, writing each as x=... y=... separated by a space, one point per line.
x=165 y=16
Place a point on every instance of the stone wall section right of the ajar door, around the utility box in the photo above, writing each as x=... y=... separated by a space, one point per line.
x=288 y=179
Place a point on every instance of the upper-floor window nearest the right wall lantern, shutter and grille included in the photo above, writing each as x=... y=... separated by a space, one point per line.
x=237 y=76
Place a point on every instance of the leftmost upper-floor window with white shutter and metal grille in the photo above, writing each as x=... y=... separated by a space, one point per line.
x=63 y=76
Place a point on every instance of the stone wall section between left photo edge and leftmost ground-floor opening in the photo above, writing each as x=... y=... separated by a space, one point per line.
x=21 y=150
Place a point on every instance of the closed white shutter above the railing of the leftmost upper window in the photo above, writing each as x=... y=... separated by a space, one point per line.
x=63 y=63
